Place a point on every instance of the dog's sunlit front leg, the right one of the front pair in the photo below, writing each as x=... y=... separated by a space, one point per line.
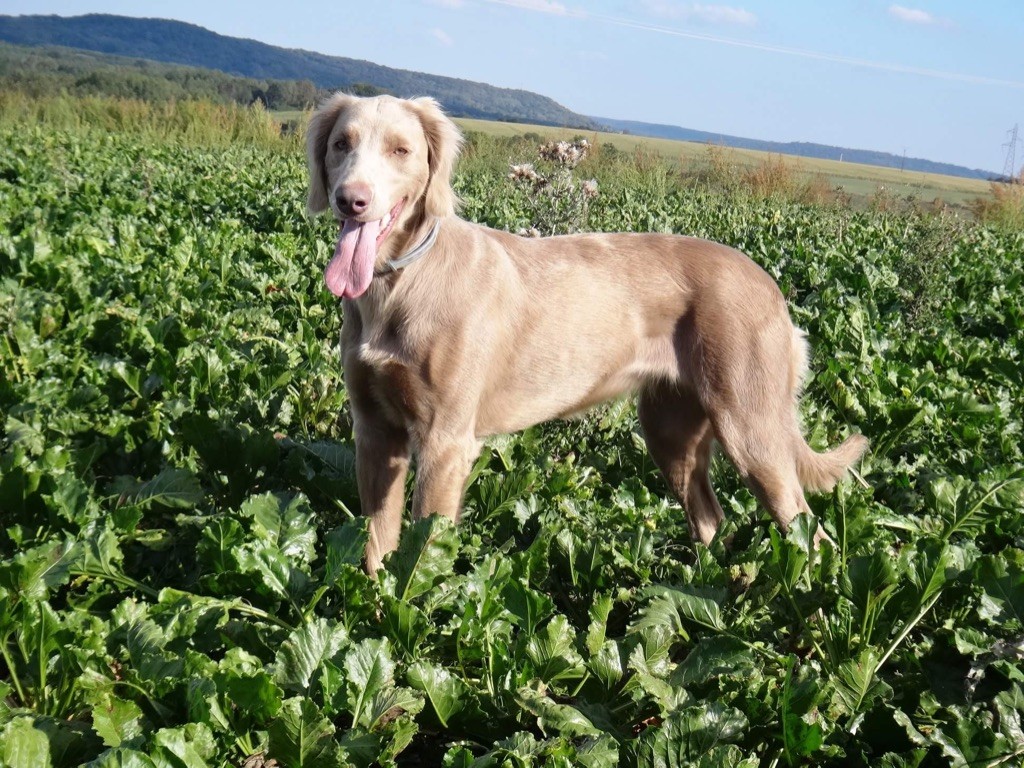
x=444 y=462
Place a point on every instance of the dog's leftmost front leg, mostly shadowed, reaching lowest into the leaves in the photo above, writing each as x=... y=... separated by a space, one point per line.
x=381 y=466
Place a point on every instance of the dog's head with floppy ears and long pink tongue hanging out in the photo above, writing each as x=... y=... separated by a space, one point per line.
x=379 y=164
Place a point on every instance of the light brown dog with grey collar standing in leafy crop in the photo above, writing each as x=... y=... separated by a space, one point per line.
x=490 y=333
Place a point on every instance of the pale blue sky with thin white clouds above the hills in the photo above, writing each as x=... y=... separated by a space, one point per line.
x=941 y=80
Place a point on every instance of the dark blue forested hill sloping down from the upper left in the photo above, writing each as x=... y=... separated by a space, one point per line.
x=178 y=42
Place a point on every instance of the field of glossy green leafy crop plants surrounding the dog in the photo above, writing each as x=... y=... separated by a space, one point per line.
x=181 y=581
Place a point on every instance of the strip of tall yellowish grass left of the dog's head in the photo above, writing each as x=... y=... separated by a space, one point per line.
x=191 y=121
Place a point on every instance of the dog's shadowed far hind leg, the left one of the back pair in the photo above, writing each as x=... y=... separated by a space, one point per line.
x=679 y=437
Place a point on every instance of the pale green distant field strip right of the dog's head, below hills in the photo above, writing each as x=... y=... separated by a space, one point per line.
x=860 y=181
